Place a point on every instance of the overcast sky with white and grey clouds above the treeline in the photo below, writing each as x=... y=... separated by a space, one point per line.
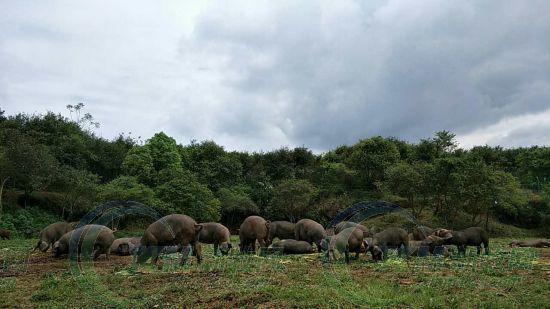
x=260 y=75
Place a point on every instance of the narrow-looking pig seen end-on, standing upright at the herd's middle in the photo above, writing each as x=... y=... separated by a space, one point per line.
x=253 y=228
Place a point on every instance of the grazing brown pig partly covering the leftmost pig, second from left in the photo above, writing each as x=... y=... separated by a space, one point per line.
x=99 y=237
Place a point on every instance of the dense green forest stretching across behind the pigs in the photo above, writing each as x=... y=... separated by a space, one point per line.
x=55 y=167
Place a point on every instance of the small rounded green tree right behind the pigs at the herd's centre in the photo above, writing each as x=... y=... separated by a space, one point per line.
x=292 y=199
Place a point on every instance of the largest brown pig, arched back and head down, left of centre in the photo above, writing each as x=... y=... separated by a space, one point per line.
x=172 y=230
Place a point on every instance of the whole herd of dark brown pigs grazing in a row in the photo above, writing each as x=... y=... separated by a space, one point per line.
x=181 y=233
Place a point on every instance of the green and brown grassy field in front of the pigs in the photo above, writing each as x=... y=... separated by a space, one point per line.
x=505 y=278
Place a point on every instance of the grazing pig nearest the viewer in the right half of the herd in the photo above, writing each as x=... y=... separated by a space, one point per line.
x=348 y=240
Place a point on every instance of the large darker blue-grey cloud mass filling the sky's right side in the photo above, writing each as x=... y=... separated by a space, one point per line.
x=403 y=69
